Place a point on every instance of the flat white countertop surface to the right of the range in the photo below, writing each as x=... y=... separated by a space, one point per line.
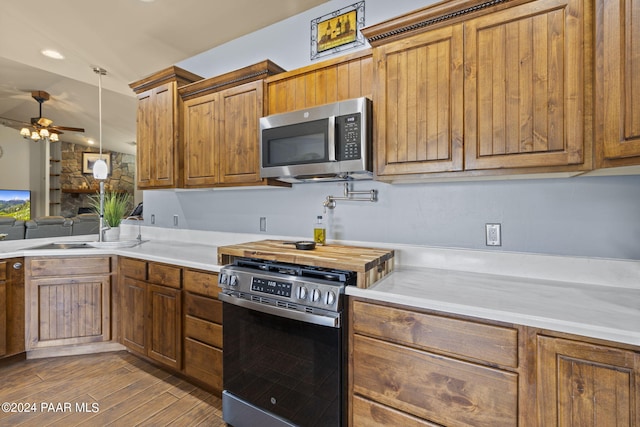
x=597 y=311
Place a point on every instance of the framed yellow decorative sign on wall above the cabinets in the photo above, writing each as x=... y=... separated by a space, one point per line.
x=337 y=31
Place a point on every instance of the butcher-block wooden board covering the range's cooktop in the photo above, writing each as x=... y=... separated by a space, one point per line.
x=370 y=264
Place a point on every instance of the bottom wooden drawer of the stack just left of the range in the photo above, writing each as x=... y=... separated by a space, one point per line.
x=203 y=362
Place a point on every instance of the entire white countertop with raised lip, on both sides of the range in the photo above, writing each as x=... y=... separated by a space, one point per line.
x=596 y=298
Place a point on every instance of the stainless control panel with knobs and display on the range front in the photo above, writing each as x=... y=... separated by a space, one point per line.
x=294 y=290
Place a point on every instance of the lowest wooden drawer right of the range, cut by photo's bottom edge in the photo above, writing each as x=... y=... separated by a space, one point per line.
x=372 y=414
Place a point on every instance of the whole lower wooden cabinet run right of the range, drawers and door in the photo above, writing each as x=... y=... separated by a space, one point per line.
x=413 y=367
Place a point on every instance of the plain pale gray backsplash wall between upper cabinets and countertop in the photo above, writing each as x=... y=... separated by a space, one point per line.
x=580 y=216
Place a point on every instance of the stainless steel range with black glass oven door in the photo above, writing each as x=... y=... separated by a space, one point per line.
x=283 y=343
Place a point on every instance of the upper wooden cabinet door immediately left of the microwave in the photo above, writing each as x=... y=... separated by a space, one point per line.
x=239 y=152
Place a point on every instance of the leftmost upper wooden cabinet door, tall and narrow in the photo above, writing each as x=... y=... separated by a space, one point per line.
x=156 y=137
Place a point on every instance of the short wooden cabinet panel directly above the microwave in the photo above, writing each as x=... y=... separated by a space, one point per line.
x=347 y=77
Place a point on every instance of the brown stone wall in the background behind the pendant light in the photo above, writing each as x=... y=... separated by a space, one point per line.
x=121 y=178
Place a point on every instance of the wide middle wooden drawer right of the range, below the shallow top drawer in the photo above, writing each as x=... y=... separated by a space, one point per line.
x=439 y=389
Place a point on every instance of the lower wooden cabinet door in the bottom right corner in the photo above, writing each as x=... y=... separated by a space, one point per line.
x=585 y=385
